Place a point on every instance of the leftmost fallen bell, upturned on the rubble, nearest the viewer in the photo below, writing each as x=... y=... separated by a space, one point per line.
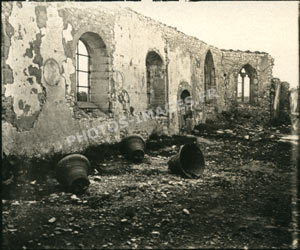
x=72 y=172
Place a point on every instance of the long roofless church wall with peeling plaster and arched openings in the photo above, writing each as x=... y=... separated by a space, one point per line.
x=39 y=75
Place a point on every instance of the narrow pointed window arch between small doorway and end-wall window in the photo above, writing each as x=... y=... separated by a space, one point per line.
x=209 y=75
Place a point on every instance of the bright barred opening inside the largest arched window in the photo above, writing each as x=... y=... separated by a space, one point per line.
x=82 y=72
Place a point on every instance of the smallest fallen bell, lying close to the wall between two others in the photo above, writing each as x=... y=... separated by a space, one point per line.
x=133 y=148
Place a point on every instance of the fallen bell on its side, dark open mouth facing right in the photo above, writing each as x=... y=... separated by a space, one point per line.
x=188 y=162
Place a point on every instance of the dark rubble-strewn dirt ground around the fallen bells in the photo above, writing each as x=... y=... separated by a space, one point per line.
x=243 y=199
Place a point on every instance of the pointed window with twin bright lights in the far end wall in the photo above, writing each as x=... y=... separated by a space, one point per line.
x=246 y=84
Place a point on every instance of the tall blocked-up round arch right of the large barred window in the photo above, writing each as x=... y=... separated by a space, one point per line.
x=156 y=91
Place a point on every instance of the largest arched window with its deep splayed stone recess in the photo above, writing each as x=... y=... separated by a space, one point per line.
x=92 y=72
